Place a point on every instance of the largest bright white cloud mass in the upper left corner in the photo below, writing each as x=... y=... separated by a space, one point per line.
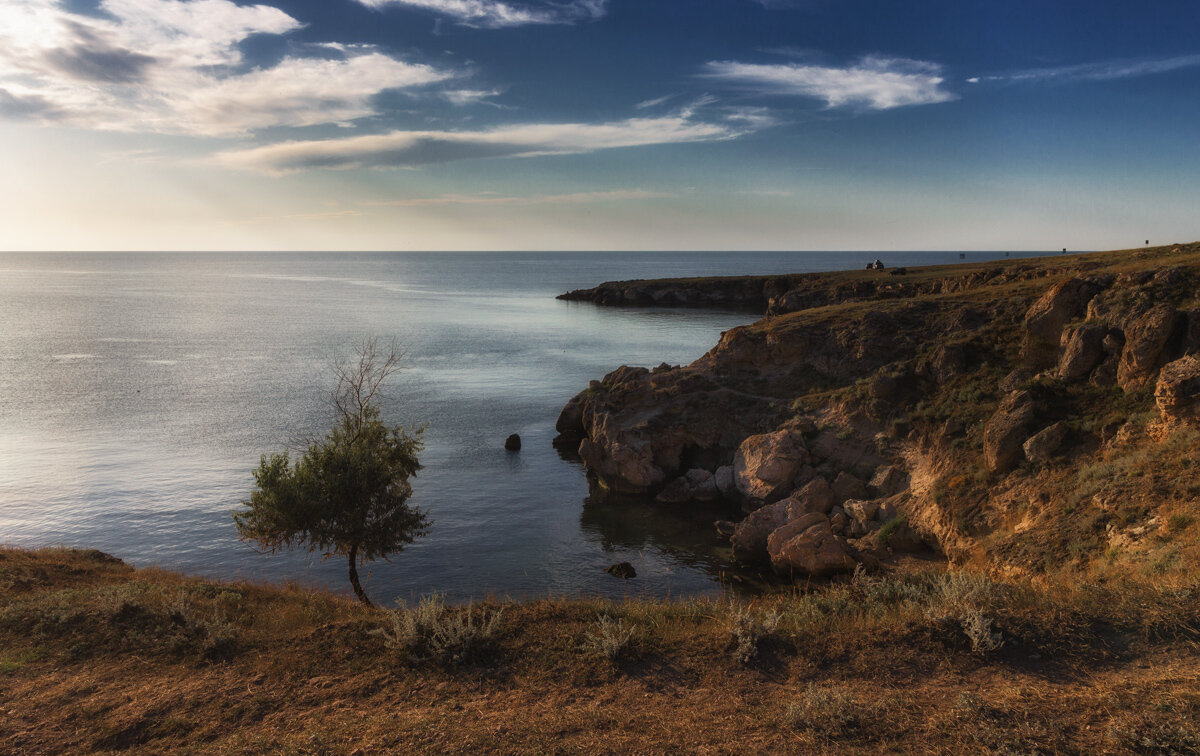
x=175 y=67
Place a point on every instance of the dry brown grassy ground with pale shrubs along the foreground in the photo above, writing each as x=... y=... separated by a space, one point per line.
x=98 y=657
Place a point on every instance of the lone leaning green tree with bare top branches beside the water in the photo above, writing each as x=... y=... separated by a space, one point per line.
x=349 y=494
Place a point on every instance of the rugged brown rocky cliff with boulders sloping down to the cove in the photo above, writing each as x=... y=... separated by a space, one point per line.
x=967 y=413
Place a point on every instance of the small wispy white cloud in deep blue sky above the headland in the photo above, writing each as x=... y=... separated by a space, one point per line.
x=875 y=83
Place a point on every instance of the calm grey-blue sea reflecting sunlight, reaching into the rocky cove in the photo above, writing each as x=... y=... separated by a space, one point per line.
x=137 y=393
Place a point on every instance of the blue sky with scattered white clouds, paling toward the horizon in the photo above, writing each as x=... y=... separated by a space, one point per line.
x=598 y=124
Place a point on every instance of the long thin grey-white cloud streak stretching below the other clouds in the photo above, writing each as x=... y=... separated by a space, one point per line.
x=421 y=148
